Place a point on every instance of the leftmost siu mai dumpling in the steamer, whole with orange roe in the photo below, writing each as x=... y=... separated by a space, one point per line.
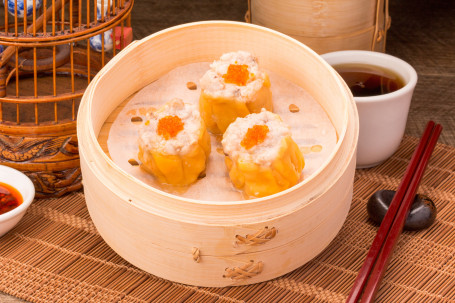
x=174 y=144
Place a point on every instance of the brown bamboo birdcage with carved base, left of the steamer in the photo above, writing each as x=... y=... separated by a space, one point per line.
x=46 y=64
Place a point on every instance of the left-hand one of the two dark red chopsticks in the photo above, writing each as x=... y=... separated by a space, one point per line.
x=386 y=224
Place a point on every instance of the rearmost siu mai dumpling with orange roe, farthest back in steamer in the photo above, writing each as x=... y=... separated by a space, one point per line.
x=233 y=87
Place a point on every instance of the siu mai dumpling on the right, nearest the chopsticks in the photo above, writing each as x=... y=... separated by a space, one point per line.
x=261 y=156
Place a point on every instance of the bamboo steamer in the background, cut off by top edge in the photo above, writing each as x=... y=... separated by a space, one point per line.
x=326 y=26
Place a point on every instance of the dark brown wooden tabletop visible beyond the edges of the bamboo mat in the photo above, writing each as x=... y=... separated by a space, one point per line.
x=422 y=33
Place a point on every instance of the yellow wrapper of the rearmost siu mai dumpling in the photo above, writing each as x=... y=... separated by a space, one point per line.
x=219 y=112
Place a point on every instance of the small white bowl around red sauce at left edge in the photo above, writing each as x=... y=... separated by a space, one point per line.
x=25 y=186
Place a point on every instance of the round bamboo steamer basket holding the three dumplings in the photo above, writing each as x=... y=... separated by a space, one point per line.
x=210 y=243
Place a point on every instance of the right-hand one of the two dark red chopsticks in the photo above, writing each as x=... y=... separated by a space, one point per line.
x=397 y=227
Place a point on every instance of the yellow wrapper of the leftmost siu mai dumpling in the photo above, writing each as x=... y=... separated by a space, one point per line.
x=180 y=168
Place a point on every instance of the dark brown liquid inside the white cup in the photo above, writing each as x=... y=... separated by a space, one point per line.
x=369 y=80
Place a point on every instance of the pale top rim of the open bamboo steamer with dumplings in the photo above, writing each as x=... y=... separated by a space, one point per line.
x=90 y=91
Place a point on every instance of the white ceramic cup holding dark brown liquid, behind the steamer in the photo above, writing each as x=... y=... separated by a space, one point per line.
x=382 y=118
